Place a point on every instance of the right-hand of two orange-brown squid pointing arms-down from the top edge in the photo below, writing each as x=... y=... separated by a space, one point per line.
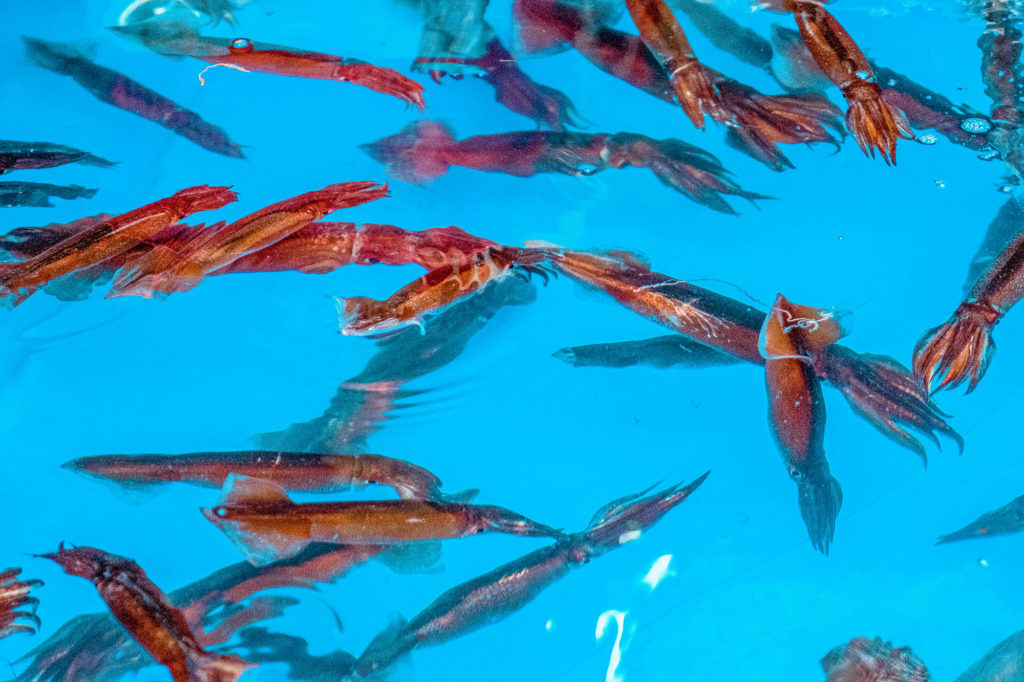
x=875 y=123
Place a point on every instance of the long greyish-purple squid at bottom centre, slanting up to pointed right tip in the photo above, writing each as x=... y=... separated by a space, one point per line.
x=499 y=593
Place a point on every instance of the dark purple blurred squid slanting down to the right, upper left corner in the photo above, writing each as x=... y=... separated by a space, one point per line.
x=119 y=91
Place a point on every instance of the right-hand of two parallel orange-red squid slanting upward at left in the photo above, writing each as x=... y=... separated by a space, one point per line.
x=182 y=264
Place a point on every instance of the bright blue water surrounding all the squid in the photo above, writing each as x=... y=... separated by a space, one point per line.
x=747 y=598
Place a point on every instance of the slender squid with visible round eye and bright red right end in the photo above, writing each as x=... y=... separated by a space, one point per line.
x=178 y=39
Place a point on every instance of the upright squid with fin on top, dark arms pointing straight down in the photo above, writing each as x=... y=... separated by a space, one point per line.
x=797 y=416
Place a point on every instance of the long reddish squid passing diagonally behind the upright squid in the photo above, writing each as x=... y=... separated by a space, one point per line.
x=877 y=388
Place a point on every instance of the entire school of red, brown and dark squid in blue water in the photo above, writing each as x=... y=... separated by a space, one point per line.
x=215 y=630
